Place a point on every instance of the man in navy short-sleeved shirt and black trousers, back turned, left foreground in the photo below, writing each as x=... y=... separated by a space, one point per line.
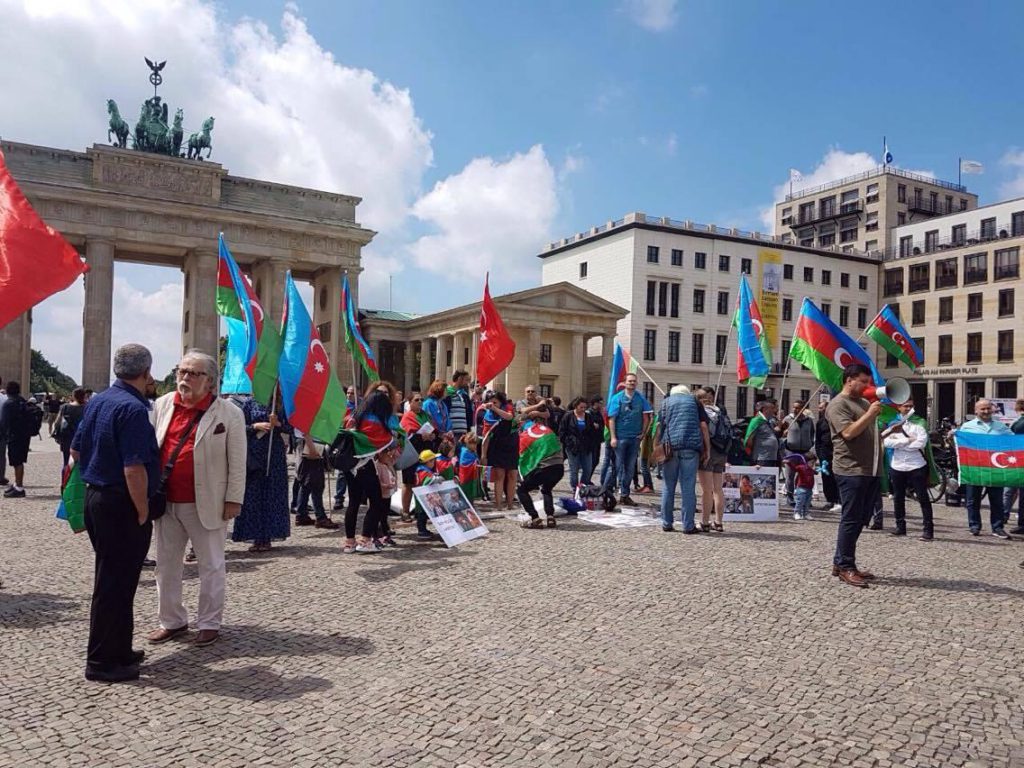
x=116 y=447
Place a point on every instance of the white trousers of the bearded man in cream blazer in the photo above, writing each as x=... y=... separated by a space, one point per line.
x=175 y=530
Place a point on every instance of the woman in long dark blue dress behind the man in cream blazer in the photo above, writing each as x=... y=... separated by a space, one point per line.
x=265 y=516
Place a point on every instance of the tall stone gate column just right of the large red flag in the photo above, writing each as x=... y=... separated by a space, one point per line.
x=97 y=315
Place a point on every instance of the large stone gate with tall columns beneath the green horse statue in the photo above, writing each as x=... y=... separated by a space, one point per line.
x=115 y=205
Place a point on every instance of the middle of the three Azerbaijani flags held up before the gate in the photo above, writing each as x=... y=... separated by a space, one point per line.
x=313 y=398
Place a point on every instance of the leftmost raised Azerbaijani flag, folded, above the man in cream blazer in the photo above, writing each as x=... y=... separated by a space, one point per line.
x=253 y=346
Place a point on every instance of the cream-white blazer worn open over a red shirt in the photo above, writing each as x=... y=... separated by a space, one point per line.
x=220 y=455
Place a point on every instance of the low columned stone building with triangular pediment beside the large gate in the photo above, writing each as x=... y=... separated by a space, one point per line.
x=552 y=327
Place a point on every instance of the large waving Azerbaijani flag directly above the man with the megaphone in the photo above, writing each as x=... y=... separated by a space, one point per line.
x=826 y=349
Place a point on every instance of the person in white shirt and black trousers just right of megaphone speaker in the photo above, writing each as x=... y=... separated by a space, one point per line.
x=909 y=466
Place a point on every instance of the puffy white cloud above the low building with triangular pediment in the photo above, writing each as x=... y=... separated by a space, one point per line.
x=491 y=217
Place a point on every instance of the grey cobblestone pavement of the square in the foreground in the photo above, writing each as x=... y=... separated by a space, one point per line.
x=579 y=647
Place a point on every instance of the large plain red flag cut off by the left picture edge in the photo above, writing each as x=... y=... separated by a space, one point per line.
x=35 y=261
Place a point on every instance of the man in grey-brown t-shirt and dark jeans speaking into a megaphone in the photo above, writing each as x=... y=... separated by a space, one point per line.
x=858 y=466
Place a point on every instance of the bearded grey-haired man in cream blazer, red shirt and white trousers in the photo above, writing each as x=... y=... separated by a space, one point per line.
x=205 y=490
